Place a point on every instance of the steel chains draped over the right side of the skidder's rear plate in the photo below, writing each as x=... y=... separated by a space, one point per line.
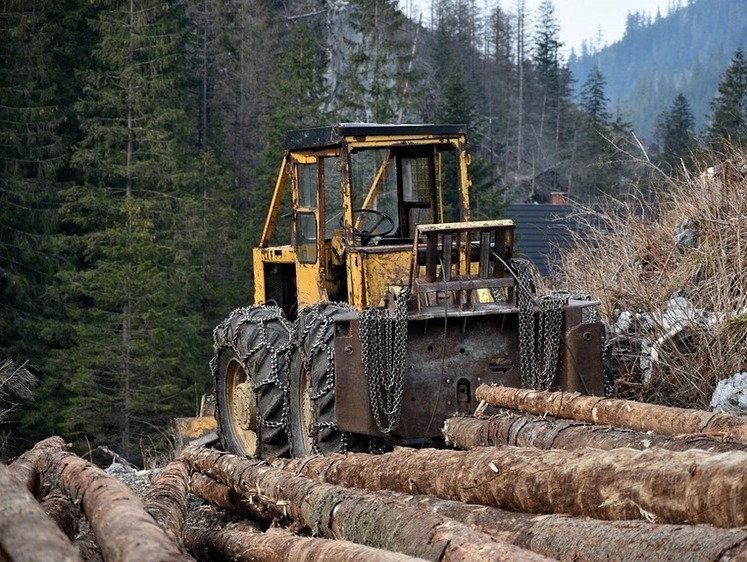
x=539 y=342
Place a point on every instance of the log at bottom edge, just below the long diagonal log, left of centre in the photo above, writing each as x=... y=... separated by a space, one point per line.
x=243 y=542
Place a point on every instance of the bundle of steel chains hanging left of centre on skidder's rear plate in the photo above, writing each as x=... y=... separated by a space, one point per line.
x=383 y=336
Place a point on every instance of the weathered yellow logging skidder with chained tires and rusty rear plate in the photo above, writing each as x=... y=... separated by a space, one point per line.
x=386 y=305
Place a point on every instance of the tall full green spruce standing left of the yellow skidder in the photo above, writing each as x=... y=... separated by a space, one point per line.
x=133 y=231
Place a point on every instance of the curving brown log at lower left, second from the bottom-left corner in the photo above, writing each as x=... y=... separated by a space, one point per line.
x=124 y=530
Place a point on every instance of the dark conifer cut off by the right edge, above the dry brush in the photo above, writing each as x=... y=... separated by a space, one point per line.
x=728 y=127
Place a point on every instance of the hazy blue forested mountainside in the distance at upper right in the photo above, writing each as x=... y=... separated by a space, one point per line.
x=685 y=51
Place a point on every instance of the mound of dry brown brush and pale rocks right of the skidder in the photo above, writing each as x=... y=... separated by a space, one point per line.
x=670 y=271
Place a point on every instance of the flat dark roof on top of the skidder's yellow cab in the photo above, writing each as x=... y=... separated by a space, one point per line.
x=319 y=137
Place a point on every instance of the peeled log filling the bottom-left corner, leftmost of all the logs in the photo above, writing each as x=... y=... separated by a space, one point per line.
x=26 y=532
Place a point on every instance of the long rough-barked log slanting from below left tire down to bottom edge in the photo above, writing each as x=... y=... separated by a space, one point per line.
x=354 y=515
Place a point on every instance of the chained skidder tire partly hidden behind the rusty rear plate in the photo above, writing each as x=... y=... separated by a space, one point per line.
x=311 y=386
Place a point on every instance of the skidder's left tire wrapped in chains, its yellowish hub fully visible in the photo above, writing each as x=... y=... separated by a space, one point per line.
x=250 y=373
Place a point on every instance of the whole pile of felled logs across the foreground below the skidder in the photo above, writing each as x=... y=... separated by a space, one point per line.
x=553 y=476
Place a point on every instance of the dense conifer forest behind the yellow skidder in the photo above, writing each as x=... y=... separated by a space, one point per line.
x=141 y=141
